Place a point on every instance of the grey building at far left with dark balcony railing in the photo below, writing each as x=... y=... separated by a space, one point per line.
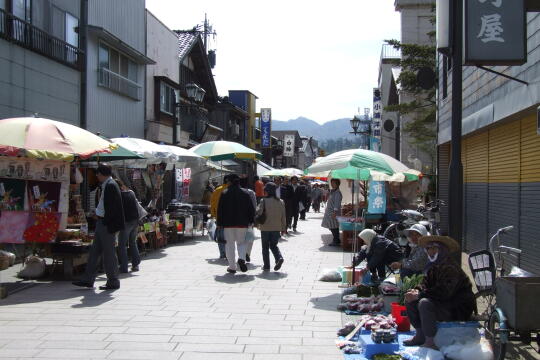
x=40 y=59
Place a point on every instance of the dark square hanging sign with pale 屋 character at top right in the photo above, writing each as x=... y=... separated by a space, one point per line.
x=495 y=32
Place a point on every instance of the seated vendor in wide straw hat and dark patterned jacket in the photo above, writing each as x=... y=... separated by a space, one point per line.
x=445 y=294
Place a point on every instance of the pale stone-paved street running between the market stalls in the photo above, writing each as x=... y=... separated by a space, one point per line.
x=183 y=305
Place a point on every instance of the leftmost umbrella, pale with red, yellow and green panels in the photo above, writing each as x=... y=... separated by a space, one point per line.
x=48 y=139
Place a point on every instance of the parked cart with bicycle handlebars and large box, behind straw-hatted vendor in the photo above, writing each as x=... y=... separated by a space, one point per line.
x=510 y=298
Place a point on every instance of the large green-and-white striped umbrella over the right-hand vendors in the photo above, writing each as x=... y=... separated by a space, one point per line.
x=360 y=164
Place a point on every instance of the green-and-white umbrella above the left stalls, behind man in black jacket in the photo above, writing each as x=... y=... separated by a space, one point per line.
x=225 y=150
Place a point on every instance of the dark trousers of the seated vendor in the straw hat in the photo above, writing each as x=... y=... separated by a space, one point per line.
x=424 y=314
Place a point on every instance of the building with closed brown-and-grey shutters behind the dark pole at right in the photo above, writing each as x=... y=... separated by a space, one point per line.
x=500 y=152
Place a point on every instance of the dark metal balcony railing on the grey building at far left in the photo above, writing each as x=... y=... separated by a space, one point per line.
x=28 y=36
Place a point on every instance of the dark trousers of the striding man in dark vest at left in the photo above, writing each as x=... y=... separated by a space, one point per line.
x=103 y=245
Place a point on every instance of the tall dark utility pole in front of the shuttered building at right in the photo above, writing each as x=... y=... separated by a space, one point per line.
x=455 y=200
